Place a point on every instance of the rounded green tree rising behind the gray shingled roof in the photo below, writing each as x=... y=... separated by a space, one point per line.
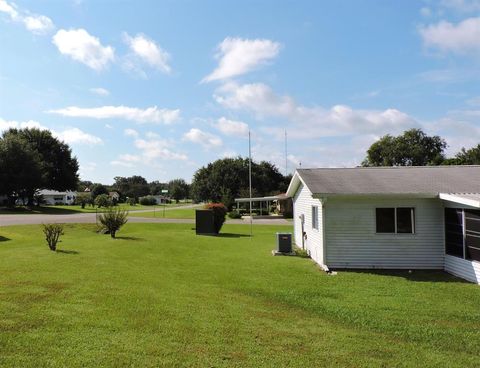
x=412 y=148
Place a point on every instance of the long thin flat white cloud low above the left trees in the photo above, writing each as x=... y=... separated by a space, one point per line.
x=148 y=115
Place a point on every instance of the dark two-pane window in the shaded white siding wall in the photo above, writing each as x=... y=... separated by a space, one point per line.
x=400 y=220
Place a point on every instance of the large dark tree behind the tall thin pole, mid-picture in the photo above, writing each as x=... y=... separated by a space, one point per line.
x=225 y=179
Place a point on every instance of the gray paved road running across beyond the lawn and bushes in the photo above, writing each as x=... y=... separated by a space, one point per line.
x=6 y=220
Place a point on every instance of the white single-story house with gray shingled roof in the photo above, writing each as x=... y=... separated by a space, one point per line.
x=391 y=217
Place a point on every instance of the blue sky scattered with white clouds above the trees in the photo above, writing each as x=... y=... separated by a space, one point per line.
x=162 y=88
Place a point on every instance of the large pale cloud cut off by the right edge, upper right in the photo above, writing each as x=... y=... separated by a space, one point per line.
x=460 y=38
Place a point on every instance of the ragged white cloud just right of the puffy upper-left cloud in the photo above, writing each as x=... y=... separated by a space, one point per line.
x=145 y=50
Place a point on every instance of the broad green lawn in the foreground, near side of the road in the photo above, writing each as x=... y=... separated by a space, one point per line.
x=161 y=296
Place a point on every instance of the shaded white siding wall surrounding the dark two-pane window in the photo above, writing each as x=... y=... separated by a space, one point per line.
x=352 y=241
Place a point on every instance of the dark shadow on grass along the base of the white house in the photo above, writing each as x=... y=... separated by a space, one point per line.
x=412 y=275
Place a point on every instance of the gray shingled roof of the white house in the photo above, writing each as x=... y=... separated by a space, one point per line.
x=393 y=180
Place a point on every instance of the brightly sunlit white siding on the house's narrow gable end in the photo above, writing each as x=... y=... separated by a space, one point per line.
x=302 y=204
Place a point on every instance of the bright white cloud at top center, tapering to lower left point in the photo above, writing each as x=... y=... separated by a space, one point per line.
x=239 y=56
